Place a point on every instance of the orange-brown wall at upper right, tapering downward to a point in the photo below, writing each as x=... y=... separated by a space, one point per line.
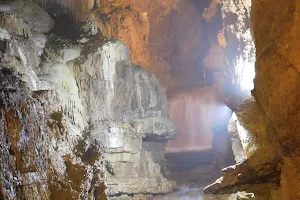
x=277 y=80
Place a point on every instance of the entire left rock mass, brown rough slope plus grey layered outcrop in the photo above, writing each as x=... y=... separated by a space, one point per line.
x=76 y=119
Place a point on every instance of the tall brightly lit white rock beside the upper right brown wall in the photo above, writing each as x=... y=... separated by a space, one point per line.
x=240 y=50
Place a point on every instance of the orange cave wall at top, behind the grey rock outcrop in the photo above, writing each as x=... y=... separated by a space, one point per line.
x=162 y=36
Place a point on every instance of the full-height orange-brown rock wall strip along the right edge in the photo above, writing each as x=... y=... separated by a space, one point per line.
x=277 y=81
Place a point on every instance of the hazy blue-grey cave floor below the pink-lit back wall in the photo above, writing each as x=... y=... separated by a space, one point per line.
x=192 y=170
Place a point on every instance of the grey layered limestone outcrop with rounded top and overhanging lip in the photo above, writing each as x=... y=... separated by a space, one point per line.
x=132 y=99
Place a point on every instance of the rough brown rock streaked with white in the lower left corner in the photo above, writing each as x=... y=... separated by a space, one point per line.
x=29 y=123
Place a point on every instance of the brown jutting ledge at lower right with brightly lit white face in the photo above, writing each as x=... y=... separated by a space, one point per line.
x=257 y=153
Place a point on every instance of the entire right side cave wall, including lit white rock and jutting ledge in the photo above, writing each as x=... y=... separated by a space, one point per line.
x=265 y=128
